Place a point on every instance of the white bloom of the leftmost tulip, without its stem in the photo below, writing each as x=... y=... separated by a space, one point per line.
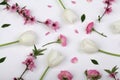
x=28 y=38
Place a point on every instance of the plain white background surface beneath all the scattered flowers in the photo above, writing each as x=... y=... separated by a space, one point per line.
x=15 y=54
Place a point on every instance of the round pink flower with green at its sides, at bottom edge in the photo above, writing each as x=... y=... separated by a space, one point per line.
x=93 y=74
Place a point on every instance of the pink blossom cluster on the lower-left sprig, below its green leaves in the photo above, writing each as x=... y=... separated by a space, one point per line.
x=29 y=62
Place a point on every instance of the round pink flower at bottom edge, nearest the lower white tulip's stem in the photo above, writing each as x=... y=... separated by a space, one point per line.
x=65 y=75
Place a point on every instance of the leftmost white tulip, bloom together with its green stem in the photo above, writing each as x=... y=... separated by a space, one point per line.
x=28 y=38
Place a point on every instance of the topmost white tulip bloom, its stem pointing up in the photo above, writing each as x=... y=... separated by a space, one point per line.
x=70 y=16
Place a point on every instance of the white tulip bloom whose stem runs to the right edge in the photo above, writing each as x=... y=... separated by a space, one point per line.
x=88 y=46
